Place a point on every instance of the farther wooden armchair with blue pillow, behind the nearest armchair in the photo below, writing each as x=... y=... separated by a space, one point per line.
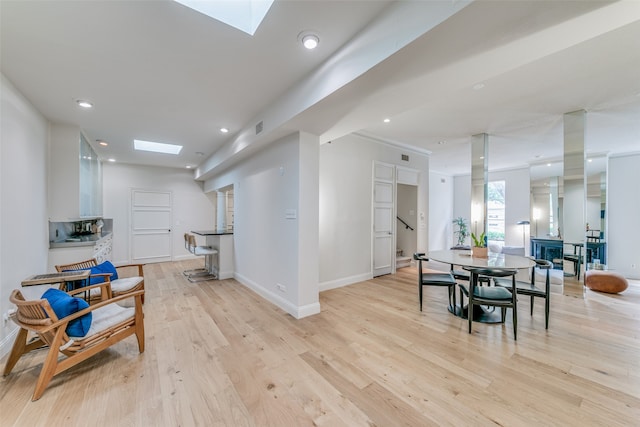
x=124 y=279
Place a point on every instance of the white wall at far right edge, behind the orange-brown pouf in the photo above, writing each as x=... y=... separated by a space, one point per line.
x=623 y=212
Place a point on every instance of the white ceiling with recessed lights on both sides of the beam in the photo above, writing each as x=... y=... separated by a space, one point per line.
x=156 y=70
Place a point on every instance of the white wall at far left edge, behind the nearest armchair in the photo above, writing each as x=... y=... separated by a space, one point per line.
x=23 y=198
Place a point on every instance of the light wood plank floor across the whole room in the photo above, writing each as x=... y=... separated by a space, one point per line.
x=218 y=355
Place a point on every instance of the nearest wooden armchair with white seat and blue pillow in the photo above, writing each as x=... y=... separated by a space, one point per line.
x=70 y=327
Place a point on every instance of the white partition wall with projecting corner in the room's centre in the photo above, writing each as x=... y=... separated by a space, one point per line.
x=270 y=249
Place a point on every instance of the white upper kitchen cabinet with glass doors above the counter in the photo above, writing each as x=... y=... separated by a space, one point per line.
x=75 y=175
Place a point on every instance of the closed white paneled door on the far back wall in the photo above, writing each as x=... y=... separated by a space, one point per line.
x=151 y=235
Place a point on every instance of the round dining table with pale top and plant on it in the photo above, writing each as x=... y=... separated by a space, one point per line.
x=497 y=261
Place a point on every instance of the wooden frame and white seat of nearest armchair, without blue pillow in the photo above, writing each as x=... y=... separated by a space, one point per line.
x=38 y=317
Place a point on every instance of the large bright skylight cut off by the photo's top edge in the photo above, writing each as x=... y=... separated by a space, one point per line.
x=245 y=15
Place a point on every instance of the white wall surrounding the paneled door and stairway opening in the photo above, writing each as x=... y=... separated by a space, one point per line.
x=346 y=166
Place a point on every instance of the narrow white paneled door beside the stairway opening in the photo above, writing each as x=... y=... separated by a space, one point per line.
x=383 y=219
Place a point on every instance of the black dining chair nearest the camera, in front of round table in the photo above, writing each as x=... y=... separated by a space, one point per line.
x=493 y=296
